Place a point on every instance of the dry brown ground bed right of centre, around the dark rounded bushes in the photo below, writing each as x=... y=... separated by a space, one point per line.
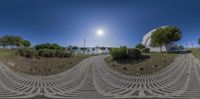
x=149 y=63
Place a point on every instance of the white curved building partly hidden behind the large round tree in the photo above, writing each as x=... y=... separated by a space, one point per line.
x=147 y=42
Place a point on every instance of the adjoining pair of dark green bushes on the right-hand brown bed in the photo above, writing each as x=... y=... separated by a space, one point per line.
x=121 y=53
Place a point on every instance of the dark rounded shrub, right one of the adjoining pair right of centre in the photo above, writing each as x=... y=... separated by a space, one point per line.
x=134 y=53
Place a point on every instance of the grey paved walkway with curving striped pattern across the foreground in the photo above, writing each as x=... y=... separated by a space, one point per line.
x=92 y=79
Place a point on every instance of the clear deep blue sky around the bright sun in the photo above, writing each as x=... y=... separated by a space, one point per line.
x=124 y=22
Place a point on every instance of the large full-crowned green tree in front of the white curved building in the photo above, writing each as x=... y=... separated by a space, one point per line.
x=164 y=36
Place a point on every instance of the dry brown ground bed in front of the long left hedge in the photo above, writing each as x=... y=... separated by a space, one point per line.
x=43 y=66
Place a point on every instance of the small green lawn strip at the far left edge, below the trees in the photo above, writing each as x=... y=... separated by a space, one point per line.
x=5 y=53
